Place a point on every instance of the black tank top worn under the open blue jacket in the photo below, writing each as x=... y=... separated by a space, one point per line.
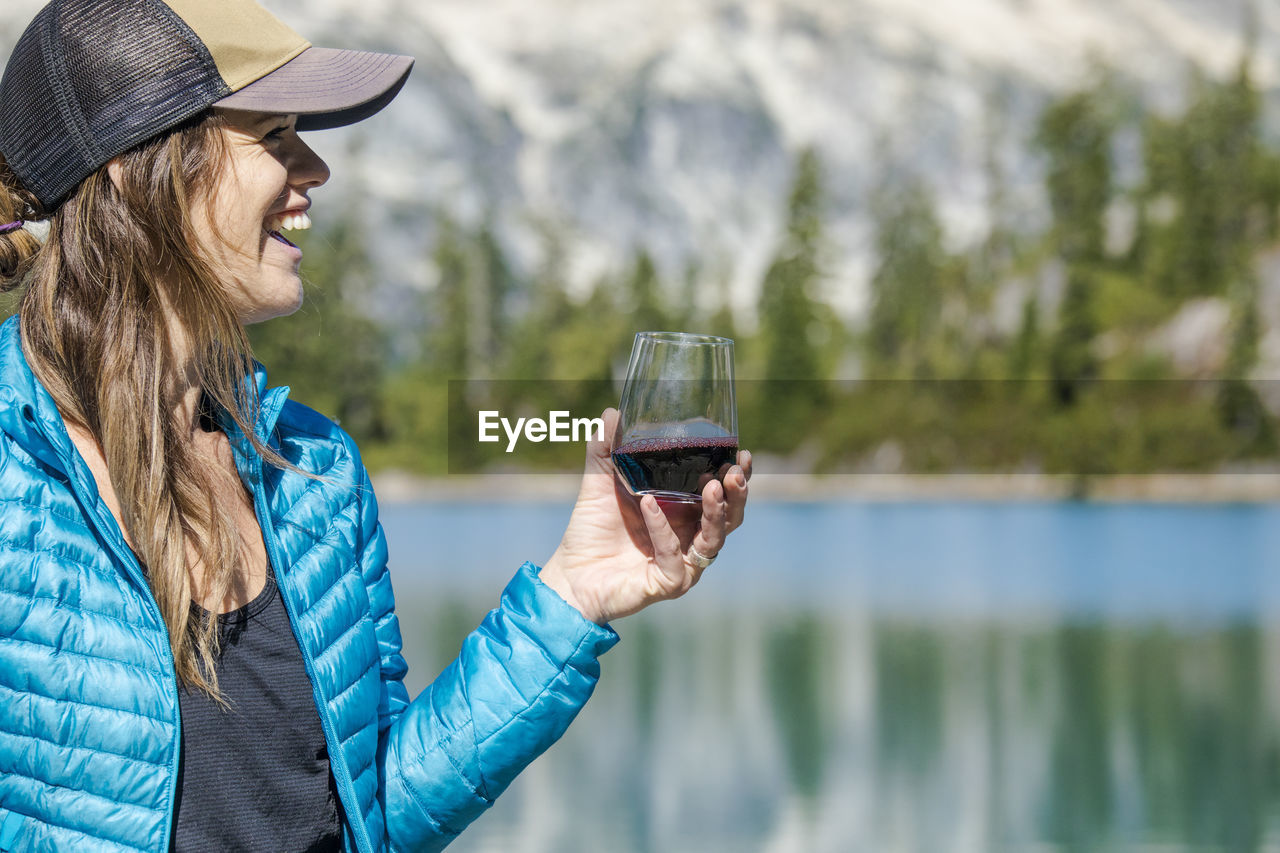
x=257 y=777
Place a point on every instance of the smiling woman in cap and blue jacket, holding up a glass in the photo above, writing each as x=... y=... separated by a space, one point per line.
x=199 y=647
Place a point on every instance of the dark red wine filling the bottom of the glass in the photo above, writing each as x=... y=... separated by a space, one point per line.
x=680 y=464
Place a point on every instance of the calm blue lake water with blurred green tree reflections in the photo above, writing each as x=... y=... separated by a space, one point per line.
x=902 y=677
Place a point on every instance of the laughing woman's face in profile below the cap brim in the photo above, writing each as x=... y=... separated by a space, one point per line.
x=263 y=191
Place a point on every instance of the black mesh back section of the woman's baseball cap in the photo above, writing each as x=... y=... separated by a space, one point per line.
x=102 y=77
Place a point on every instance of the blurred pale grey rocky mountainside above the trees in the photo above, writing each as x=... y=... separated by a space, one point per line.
x=674 y=125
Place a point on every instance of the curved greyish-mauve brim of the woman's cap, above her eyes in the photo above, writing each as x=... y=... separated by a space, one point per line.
x=326 y=88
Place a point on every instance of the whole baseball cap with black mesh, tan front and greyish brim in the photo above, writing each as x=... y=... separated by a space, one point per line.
x=92 y=79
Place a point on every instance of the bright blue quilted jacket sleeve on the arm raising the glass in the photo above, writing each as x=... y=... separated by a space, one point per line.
x=522 y=678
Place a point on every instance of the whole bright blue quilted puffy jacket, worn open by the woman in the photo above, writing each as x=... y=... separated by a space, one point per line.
x=89 y=709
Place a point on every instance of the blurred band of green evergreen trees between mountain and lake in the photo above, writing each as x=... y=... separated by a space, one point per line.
x=927 y=381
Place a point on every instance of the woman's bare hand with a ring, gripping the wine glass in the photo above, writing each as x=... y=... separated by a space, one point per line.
x=620 y=555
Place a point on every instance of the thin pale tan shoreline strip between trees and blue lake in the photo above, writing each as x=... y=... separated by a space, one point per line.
x=1252 y=486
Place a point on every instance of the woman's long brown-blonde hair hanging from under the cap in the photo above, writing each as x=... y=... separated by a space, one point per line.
x=117 y=280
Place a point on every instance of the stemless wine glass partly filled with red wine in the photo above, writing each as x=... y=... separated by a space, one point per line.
x=679 y=423
